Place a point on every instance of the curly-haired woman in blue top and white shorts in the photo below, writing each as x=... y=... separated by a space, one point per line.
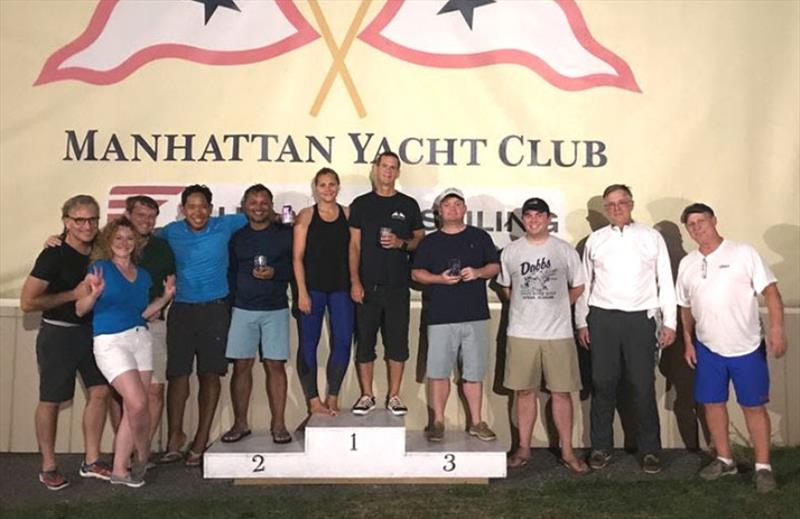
x=118 y=292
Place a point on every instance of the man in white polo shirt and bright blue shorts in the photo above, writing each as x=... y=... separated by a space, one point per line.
x=717 y=289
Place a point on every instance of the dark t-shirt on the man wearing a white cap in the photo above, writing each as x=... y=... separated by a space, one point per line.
x=465 y=301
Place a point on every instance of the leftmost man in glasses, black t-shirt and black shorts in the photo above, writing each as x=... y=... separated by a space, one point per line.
x=64 y=343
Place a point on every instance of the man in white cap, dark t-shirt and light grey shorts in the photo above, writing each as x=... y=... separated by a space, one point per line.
x=454 y=264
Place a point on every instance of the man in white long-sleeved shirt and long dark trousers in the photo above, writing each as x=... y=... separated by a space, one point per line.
x=627 y=312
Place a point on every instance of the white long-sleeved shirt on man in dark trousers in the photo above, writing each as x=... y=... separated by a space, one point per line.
x=627 y=269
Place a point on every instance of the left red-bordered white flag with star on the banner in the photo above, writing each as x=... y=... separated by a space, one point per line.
x=123 y=35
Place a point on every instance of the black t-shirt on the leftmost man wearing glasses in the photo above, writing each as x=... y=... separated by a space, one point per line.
x=63 y=268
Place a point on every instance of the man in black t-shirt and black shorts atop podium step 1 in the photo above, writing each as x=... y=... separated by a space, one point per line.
x=385 y=225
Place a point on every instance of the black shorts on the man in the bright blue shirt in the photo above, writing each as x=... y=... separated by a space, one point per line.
x=199 y=329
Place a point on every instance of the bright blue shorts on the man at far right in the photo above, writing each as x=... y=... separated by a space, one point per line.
x=749 y=373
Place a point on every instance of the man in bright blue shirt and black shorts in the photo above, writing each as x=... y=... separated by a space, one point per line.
x=197 y=325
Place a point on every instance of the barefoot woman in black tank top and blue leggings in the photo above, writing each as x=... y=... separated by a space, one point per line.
x=321 y=244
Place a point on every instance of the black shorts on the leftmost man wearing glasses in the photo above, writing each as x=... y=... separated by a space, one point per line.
x=61 y=351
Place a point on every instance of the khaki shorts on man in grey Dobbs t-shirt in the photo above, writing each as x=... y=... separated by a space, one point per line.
x=528 y=360
